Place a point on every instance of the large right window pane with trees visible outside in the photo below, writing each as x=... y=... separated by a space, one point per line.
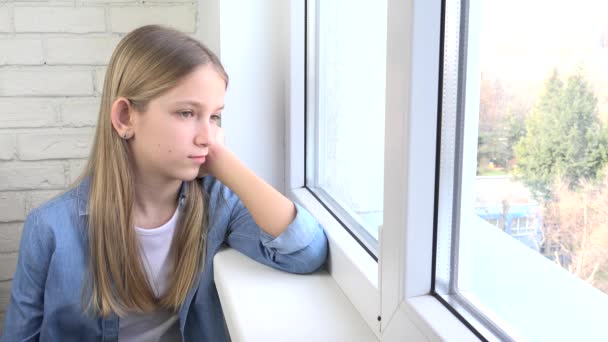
x=522 y=243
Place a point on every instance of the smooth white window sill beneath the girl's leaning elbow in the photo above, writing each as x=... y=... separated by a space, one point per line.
x=264 y=304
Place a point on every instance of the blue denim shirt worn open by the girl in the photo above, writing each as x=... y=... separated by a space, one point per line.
x=46 y=295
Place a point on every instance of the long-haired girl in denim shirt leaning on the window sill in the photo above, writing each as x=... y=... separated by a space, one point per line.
x=127 y=253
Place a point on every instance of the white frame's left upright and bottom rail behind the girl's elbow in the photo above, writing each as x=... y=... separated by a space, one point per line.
x=353 y=269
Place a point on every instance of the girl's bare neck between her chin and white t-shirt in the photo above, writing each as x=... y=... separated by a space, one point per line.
x=155 y=201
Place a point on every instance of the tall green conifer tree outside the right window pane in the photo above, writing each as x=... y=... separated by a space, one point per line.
x=564 y=137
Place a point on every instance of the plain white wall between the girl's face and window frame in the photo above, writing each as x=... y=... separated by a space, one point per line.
x=254 y=49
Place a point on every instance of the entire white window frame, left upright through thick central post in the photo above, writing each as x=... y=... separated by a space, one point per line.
x=392 y=296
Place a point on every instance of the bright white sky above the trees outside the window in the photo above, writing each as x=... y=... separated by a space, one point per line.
x=523 y=40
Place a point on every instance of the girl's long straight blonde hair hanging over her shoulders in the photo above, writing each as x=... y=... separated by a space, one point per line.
x=146 y=63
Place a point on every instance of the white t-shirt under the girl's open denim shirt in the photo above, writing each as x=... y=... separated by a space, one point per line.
x=163 y=326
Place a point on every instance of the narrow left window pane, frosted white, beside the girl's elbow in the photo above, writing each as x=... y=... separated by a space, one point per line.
x=345 y=112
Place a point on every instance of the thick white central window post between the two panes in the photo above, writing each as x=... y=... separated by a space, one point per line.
x=413 y=65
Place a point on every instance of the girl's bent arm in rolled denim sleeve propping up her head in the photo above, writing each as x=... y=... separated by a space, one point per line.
x=263 y=223
